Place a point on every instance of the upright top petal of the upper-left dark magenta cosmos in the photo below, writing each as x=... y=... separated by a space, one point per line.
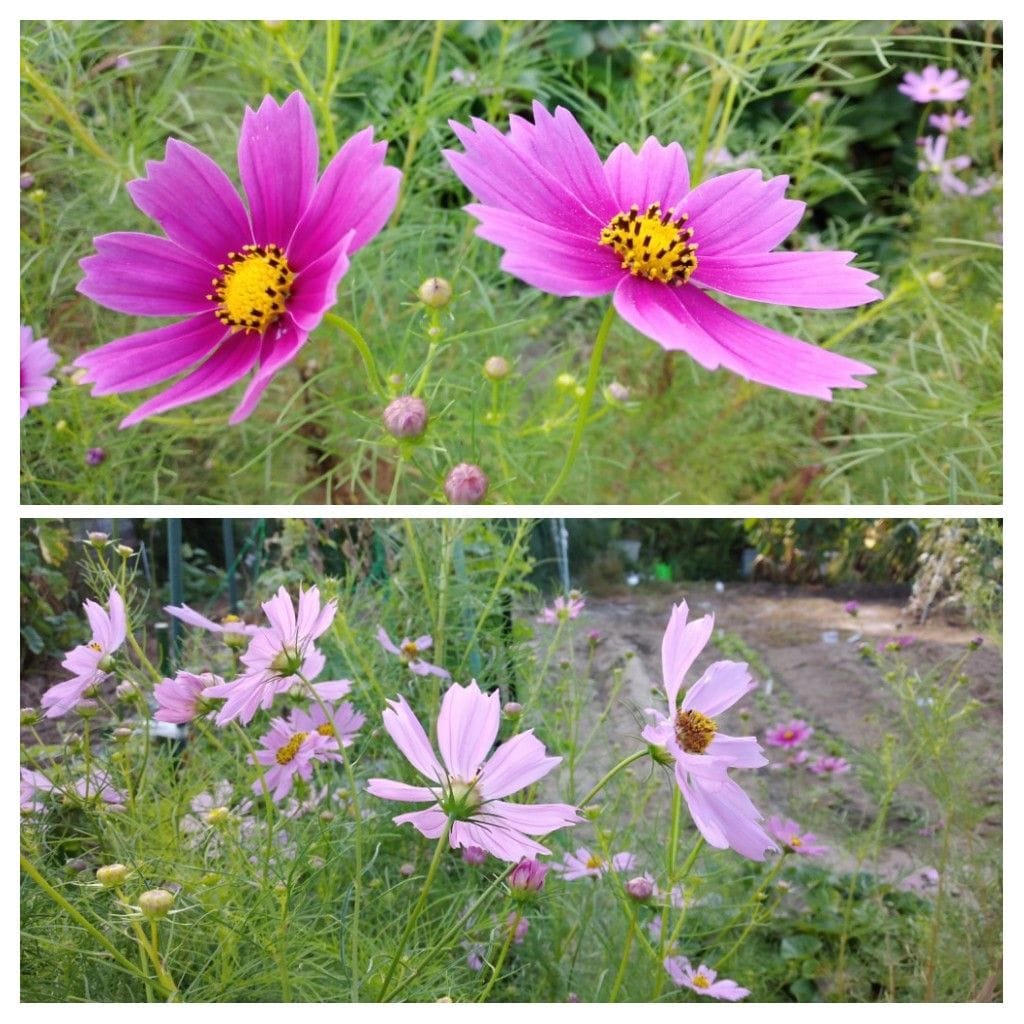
x=278 y=160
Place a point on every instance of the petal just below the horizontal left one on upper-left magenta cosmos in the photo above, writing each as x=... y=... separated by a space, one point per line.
x=146 y=359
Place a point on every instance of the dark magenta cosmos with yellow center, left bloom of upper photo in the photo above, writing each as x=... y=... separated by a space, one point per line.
x=252 y=284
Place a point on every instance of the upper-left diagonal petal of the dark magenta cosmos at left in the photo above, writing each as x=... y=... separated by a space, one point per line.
x=194 y=202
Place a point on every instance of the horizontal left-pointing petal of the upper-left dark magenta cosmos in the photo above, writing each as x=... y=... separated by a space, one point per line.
x=146 y=275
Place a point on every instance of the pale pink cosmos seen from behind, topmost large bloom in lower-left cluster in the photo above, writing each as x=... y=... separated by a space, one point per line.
x=281 y=657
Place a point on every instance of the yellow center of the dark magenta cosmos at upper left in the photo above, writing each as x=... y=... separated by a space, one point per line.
x=254 y=288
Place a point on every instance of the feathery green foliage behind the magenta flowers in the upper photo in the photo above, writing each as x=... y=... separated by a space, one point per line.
x=927 y=429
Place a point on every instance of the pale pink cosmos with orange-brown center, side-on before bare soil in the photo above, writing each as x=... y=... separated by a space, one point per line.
x=702 y=754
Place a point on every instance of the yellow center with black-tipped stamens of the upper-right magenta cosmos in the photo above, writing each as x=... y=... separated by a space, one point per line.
x=653 y=245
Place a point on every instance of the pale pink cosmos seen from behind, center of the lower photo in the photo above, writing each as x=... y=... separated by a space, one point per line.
x=467 y=785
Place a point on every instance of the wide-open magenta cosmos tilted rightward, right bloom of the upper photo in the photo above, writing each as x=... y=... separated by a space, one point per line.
x=633 y=227
